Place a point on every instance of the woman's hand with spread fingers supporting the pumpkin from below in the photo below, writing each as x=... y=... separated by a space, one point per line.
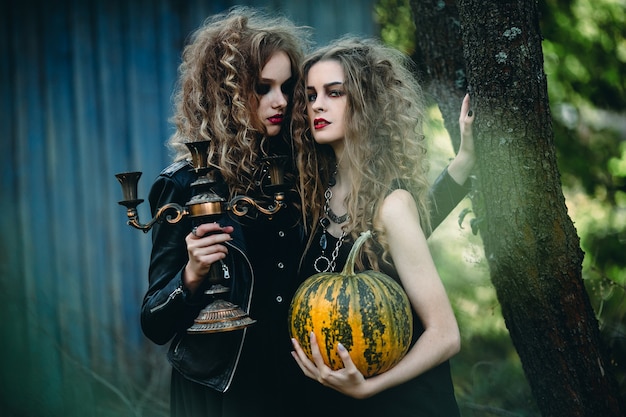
x=348 y=380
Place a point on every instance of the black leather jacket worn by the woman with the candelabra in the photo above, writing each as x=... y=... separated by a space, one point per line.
x=168 y=309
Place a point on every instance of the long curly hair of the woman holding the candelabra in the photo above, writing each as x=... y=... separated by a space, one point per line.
x=216 y=97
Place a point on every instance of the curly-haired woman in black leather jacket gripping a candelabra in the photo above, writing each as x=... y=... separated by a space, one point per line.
x=237 y=82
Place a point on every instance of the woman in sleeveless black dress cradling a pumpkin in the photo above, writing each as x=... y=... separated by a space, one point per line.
x=365 y=113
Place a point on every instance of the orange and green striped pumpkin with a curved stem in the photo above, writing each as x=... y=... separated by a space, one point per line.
x=368 y=313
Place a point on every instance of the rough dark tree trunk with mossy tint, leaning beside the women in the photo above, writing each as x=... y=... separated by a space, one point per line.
x=530 y=242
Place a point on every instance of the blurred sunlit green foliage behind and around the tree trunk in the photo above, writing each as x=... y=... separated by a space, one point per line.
x=585 y=62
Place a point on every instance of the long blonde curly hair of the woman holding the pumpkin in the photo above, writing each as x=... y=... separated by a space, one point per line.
x=384 y=141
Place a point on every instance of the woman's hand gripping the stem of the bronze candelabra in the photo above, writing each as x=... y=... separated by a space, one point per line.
x=204 y=248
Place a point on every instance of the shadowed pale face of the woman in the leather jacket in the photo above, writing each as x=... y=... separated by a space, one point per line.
x=274 y=89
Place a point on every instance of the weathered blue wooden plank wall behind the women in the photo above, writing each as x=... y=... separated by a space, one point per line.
x=85 y=92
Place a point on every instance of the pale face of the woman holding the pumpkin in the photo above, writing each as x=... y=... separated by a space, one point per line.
x=326 y=103
